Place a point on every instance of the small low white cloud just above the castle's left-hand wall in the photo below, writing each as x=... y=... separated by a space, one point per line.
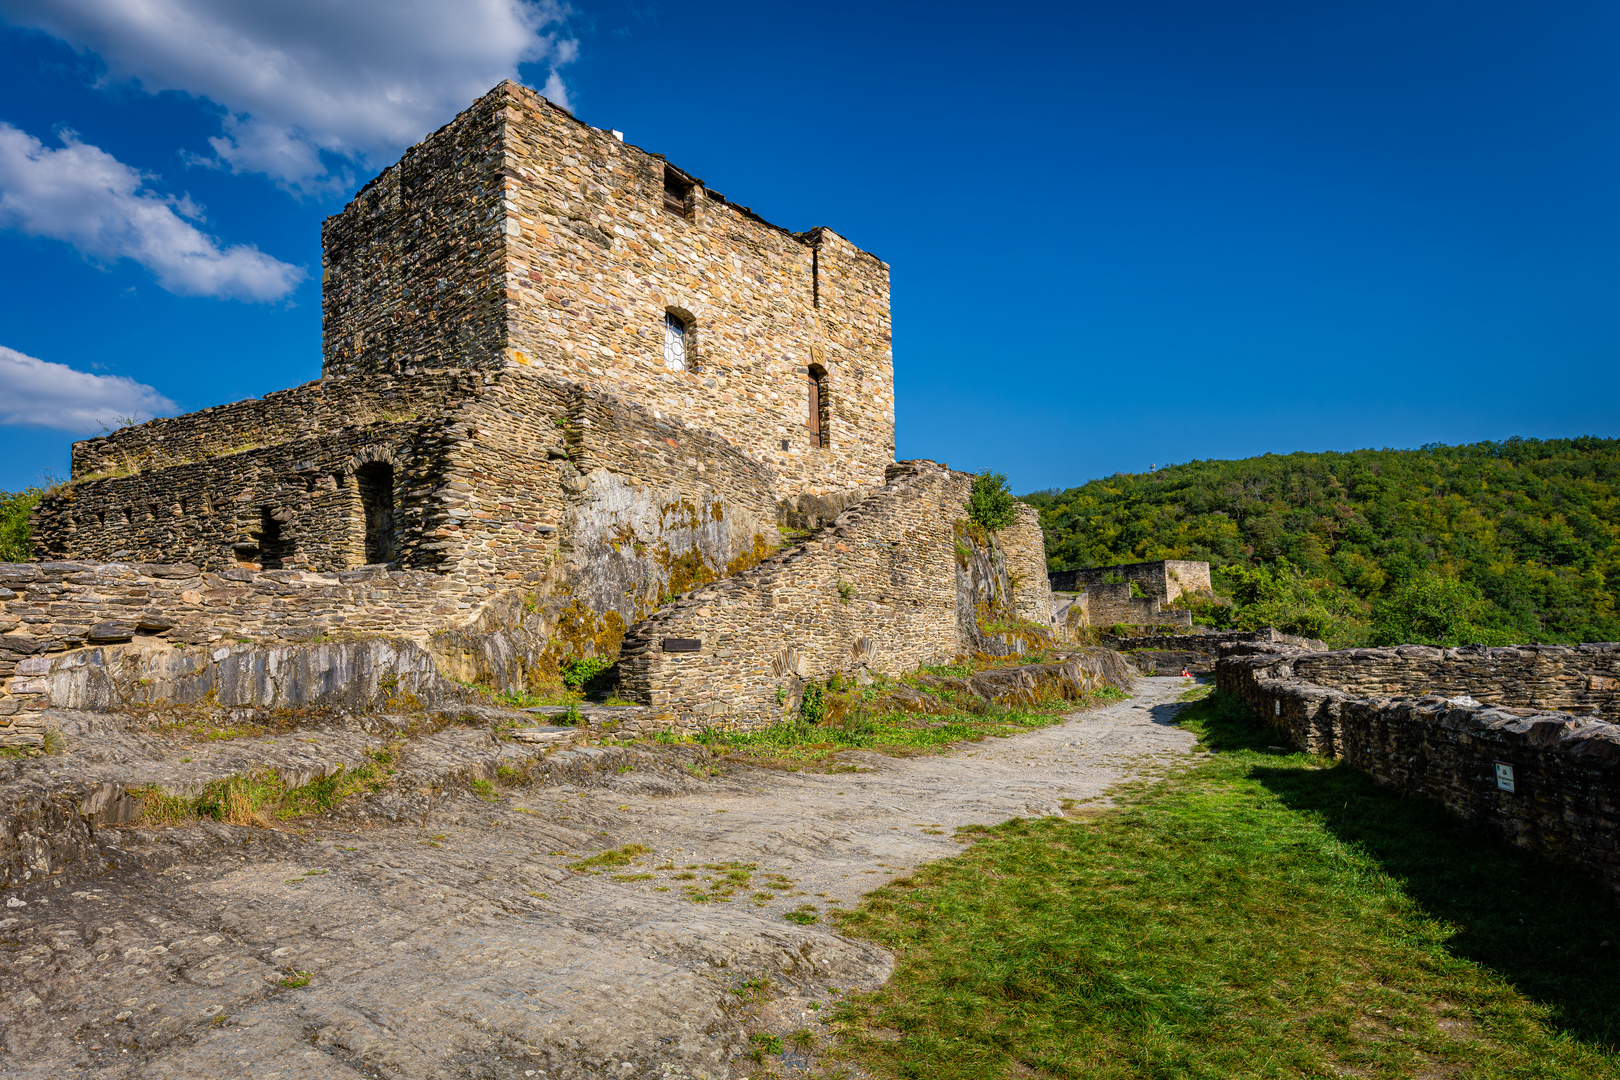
x=43 y=394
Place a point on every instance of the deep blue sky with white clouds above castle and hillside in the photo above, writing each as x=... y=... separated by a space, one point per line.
x=1122 y=234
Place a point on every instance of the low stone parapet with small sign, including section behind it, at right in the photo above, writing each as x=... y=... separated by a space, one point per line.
x=1543 y=780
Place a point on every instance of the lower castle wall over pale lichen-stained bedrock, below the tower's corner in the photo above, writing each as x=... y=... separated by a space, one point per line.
x=597 y=504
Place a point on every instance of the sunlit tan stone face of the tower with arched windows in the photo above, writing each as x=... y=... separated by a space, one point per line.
x=595 y=263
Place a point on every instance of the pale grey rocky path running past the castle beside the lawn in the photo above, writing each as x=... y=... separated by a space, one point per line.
x=463 y=946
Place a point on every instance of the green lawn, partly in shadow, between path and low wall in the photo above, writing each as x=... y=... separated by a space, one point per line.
x=1256 y=916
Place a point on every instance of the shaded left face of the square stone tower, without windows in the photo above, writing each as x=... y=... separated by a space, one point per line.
x=414 y=268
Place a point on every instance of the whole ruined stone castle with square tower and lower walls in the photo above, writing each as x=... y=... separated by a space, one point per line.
x=573 y=402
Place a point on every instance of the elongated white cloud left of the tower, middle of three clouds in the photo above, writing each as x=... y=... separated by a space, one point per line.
x=101 y=206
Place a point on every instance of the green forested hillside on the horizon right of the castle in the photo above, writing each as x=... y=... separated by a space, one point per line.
x=1494 y=542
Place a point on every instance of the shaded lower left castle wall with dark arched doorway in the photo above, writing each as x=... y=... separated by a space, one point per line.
x=198 y=488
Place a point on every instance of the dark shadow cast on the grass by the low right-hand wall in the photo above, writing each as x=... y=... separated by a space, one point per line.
x=1550 y=932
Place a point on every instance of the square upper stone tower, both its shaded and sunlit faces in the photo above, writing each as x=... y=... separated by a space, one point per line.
x=590 y=263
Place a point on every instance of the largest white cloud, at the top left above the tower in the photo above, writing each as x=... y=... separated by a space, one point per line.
x=313 y=87
